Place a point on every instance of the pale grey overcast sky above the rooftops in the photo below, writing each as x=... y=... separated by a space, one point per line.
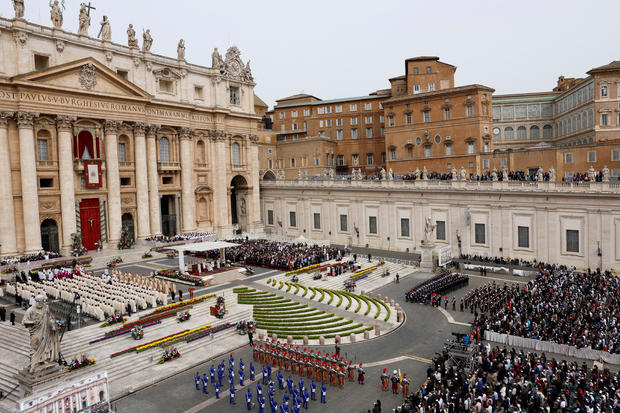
x=343 y=48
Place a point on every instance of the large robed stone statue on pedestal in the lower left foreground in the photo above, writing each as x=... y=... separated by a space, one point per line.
x=44 y=339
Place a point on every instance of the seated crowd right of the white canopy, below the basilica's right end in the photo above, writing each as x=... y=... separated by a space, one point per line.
x=282 y=256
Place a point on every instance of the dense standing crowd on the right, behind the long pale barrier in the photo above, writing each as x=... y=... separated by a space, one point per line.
x=562 y=306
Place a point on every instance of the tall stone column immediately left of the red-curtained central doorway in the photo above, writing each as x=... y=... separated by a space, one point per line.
x=66 y=175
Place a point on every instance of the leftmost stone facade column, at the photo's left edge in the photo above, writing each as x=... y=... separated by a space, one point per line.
x=7 y=208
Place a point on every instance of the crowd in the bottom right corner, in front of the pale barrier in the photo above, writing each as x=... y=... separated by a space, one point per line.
x=510 y=381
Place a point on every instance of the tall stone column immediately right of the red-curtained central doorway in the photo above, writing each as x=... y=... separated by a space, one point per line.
x=114 y=185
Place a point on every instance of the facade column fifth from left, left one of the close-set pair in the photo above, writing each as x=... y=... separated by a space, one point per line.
x=142 y=189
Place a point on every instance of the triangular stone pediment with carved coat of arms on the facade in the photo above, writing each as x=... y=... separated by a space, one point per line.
x=85 y=75
